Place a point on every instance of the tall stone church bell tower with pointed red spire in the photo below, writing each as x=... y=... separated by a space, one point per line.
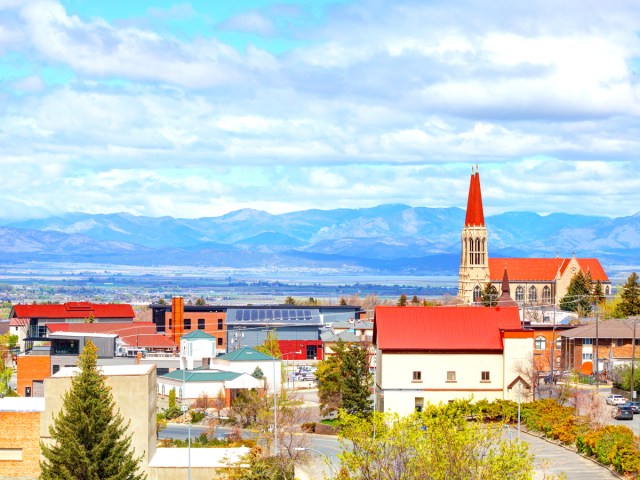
x=474 y=260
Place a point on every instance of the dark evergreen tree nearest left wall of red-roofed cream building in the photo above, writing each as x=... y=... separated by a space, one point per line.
x=356 y=381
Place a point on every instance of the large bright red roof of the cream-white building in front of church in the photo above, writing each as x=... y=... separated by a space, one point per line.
x=443 y=328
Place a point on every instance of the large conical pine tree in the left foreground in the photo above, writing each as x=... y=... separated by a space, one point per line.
x=89 y=440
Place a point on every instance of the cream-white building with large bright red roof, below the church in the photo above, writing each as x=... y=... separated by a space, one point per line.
x=439 y=354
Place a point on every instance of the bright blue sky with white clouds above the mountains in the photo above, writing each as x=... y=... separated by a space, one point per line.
x=196 y=109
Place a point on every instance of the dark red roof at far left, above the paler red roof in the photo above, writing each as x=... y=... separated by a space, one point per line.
x=73 y=310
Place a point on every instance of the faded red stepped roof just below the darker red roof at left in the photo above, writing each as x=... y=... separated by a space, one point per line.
x=139 y=334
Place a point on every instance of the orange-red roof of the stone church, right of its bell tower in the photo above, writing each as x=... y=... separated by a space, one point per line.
x=541 y=269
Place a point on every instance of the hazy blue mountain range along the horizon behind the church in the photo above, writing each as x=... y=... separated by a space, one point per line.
x=387 y=239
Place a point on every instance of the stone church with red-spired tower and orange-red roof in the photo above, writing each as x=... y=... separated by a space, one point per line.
x=532 y=281
